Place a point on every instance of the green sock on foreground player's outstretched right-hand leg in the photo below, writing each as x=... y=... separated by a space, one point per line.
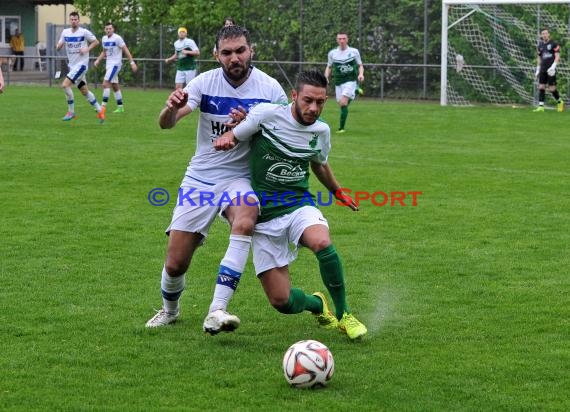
x=332 y=274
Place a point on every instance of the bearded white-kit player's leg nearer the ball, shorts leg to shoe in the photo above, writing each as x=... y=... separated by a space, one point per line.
x=241 y=211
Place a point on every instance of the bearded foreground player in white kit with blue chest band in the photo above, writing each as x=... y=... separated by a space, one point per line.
x=222 y=95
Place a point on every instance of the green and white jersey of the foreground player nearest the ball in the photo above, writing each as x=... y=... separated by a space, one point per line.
x=281 y=152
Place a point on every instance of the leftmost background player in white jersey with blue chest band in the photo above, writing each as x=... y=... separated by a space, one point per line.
x=78 y=43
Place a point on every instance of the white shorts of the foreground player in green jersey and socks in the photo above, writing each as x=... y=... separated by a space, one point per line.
x=271 y=240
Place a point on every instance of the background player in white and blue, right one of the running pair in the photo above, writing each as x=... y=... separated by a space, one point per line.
x=113 y=48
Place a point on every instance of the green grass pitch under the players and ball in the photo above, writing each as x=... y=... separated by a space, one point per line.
x=466 y=295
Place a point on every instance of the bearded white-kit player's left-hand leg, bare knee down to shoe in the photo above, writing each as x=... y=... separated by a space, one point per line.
x=181 y=248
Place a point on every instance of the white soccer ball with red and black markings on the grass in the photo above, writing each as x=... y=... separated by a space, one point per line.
x=308 y=364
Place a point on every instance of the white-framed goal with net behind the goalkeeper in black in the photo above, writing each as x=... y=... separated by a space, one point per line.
x=489 y=49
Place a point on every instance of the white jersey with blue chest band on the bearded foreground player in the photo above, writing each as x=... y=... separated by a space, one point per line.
x=215 y=96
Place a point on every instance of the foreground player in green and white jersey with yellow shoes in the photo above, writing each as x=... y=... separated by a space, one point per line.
x=287 y=140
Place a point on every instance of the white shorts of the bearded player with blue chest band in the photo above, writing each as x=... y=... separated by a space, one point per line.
x=198 y=203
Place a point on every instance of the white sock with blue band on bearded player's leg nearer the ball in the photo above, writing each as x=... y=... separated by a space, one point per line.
x=231 y=268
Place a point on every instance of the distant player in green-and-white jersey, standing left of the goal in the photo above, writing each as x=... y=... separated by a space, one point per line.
x=347 y=70
